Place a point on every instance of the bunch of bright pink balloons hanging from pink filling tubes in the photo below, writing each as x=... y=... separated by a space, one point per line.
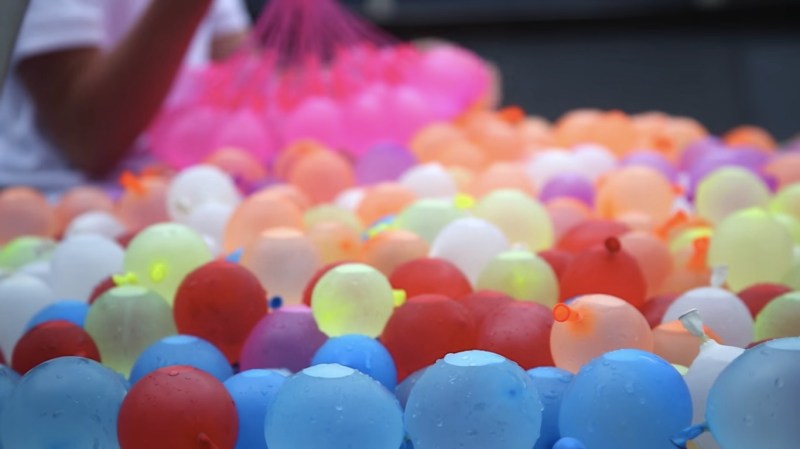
x=313 y=70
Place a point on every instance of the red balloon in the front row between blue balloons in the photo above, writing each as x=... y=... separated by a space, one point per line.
x=178 y=407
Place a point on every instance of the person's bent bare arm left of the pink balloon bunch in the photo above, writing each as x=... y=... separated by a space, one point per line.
x=94 y=104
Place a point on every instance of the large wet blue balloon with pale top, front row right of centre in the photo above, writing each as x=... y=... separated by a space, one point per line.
x=474 y=400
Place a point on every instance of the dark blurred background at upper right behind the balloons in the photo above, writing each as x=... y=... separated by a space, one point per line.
x=724 y=62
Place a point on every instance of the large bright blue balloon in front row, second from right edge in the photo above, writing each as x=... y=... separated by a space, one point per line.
x=626 y=399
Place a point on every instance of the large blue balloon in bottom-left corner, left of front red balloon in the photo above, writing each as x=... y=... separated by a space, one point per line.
x=68 y=402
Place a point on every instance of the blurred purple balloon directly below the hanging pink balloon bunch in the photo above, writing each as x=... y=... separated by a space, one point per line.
x=383 y=162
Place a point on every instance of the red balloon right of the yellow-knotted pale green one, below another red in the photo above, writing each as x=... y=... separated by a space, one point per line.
x=425 y=329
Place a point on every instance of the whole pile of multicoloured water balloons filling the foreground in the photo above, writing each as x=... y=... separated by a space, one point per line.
x=644 y=273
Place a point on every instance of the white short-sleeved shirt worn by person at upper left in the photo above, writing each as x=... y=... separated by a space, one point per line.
x=27 y=157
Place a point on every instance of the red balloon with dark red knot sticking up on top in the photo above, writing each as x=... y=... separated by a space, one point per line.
x=605 y=269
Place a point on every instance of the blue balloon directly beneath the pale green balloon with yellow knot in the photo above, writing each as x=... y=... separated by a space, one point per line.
x=362 y=353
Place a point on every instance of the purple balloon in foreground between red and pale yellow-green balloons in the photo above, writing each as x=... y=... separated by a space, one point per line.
x=287 y=338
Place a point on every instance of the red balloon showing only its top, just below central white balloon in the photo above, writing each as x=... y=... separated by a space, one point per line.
x=430 y=276
